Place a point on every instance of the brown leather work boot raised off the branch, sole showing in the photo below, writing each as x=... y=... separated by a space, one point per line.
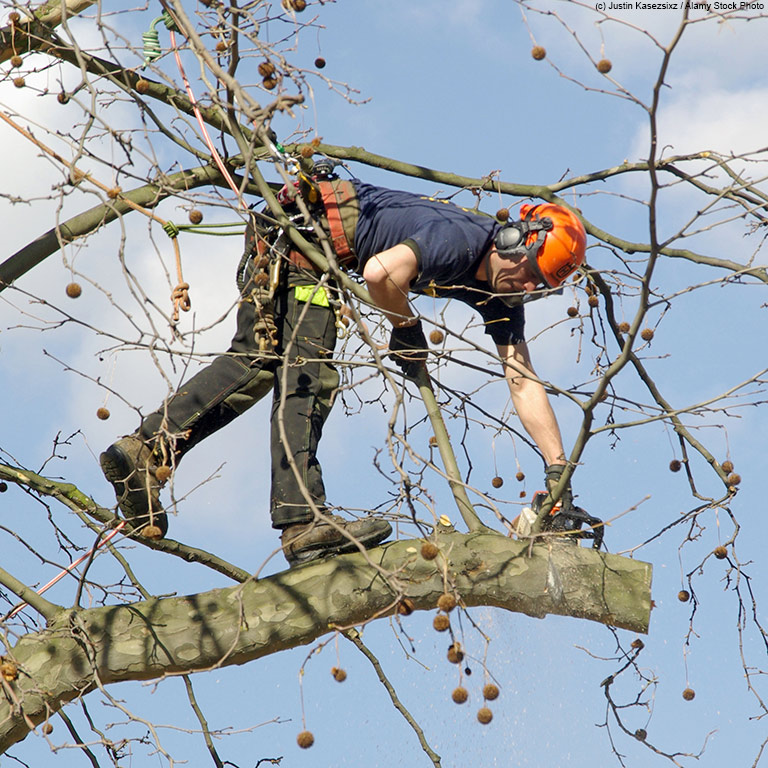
x=130 y=467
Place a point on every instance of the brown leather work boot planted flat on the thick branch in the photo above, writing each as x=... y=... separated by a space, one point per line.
x=303 y=542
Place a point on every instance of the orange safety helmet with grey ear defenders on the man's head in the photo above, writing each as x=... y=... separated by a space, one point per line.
x=552 y=237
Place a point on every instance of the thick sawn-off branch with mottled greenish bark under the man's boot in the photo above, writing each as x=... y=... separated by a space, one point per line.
x=84 y=649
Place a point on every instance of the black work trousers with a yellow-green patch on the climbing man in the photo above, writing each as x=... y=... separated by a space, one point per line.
x=300 y=365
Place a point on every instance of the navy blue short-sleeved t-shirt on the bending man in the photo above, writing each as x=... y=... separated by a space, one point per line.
x=450 y=243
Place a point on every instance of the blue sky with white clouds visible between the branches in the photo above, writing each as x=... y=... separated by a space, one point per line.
x=449 y=85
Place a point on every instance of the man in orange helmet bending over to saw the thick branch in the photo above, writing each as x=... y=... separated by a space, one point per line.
x=400 y=243
